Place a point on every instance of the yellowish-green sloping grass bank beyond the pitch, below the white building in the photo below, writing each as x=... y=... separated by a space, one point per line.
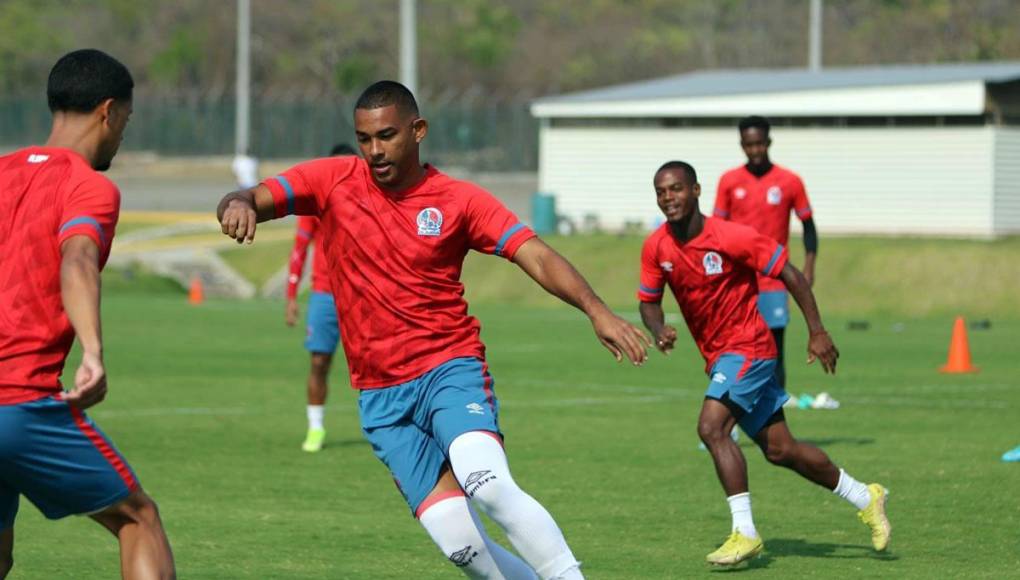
x=856 y=277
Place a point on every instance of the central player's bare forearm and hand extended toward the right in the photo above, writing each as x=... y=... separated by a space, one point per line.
x=559 y=278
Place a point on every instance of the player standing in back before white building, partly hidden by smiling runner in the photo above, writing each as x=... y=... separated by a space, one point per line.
x=762 y=195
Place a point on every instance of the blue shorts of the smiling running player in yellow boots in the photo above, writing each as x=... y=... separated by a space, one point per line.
x=749 y=388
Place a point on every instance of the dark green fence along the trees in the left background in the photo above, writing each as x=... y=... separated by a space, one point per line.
x=478 y=134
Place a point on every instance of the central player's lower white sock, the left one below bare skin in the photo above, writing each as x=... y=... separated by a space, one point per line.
x=457 y=532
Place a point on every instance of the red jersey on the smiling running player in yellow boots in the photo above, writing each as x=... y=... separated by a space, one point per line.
x=715 y=281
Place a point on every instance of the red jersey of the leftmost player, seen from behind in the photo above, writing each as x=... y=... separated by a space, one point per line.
x=47 y=195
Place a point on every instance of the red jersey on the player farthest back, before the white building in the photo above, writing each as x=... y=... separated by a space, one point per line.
x=763 y=203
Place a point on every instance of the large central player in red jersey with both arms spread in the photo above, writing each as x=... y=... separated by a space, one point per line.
x=395 y=234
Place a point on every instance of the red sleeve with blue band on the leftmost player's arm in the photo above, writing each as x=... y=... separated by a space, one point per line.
x=92 y=209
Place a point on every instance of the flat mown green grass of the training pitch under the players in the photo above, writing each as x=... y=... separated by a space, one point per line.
x=208 y=404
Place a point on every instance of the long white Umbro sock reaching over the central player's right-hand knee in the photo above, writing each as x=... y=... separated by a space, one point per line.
x=481 y=467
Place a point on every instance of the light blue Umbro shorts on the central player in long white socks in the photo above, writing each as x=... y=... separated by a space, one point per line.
x=412 y=426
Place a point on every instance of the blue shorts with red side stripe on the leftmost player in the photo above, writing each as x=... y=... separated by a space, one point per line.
x=58 y=458
